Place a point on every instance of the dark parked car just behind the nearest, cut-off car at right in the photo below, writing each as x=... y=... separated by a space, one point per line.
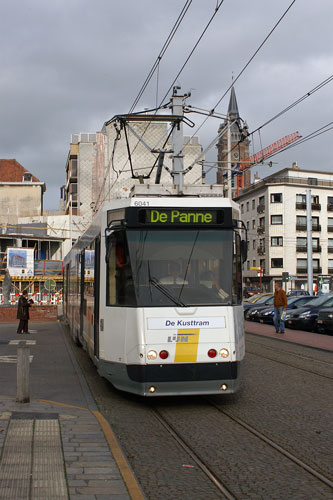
x=305 y=318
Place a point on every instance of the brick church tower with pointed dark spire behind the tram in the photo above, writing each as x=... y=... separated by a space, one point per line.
x=239 y=146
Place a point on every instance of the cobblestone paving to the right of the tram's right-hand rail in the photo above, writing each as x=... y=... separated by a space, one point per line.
x=291 y=405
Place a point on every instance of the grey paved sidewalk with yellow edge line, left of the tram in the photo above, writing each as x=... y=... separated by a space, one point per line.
x=57 y=446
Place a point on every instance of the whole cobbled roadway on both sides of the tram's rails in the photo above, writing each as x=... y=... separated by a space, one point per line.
x=289 y=405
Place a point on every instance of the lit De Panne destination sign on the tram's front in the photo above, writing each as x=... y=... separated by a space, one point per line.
x=184 y=217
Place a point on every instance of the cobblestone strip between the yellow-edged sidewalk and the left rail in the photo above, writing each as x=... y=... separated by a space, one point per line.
x=159 y=463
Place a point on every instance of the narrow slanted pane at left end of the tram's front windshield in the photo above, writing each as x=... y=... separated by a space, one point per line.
x=120 y=288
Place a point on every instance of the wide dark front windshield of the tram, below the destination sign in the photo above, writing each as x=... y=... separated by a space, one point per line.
x=175 y=268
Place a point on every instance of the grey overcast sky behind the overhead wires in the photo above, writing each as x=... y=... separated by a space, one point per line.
x=67 y=66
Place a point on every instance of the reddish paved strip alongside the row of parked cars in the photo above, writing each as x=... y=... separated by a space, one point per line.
x=316 y=340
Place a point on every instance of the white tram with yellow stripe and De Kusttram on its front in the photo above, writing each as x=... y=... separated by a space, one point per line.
x=153 y=292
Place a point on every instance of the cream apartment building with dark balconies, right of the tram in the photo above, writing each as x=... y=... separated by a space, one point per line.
x=274 y=212
